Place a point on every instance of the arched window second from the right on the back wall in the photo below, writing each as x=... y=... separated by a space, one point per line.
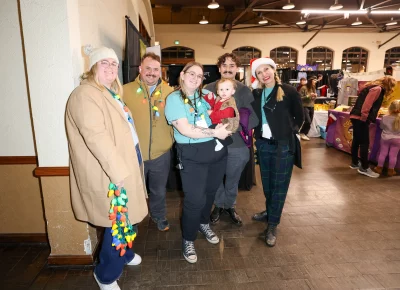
x=355 y=59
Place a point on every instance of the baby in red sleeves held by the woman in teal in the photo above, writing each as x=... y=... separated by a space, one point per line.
x=223 y=109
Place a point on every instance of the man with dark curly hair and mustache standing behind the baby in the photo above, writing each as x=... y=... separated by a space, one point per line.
x=238 y=153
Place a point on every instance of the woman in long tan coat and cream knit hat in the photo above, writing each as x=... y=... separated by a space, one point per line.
x=104 y=149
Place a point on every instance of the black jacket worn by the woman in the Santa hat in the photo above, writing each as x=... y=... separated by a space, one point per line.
x=284 y=118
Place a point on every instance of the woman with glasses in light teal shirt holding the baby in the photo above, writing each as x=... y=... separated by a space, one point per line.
x=202 y=168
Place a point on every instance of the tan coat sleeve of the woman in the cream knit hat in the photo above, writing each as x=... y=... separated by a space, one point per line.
x=86 y=112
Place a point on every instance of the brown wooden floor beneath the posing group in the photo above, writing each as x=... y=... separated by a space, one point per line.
x=339 y=230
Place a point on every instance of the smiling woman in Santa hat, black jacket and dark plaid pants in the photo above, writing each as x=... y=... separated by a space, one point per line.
x=280 y=109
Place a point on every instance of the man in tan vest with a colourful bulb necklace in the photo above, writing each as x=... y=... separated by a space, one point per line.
x=145 y=97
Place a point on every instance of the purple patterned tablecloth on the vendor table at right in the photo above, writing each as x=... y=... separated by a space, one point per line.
x=339 y=135
